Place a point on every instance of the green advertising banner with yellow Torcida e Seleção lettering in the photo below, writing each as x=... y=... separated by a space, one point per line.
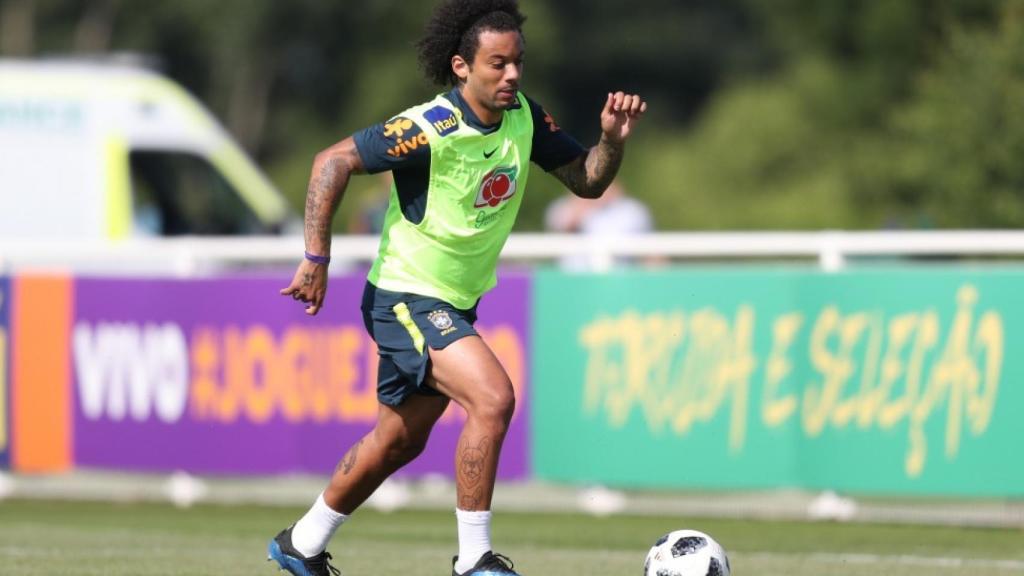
x=885 y=381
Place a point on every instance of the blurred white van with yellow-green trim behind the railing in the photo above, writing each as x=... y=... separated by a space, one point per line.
x=97 y=151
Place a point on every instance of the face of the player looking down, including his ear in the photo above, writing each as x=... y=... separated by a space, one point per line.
x=491 y=81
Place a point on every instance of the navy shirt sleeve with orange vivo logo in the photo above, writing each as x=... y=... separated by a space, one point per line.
x=395 y=145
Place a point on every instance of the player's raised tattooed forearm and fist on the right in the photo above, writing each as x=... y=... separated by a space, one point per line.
x=589 y=176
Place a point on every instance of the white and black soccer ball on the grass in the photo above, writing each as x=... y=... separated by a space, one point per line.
x=687 y=553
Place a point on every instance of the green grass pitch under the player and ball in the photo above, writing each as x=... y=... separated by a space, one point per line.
x=49 y=538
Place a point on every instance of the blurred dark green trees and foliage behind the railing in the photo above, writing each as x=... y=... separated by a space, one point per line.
x=764 y=114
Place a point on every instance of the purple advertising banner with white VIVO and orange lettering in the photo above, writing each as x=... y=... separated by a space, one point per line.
x=227 y=377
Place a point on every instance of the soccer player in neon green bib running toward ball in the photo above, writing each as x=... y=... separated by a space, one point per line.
x=460 y=164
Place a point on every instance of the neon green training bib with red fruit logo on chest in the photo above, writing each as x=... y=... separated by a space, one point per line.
x=476 y=187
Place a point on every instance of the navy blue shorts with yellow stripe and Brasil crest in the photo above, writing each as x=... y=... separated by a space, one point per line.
x=405 y=326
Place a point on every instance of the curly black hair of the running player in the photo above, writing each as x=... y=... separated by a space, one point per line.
x=455 y=28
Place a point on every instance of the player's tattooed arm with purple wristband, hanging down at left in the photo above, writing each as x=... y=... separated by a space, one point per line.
x=328 y=182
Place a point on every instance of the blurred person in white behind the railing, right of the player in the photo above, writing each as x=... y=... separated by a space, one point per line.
x=616 y=214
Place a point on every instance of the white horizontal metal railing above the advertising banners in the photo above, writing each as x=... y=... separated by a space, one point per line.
x=832 y=250
